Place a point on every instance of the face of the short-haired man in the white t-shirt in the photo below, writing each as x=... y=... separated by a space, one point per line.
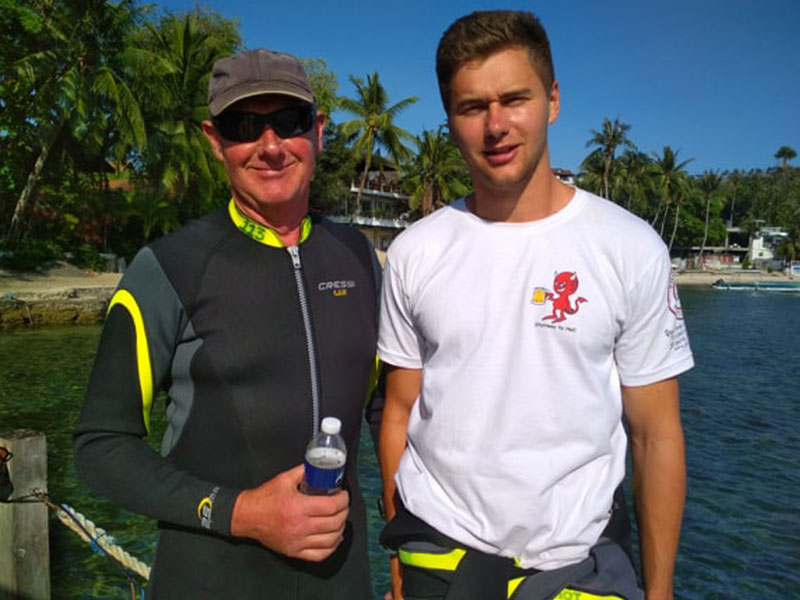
x=499 y=114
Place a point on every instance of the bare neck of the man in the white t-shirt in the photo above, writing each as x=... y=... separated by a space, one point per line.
x=538 y=198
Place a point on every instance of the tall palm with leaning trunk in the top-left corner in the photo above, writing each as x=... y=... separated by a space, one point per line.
x=67 y=89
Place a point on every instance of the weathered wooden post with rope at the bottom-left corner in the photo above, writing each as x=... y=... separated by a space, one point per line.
x=24 y=544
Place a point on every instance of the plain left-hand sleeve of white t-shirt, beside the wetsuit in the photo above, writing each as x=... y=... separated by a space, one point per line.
x=399 y=342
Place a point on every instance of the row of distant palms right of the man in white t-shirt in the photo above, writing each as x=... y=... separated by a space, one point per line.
x=692 y=211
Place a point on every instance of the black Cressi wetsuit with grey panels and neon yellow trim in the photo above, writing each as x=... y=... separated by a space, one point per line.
x=253 y=347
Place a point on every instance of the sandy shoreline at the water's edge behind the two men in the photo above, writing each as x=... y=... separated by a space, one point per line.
x=63 y=294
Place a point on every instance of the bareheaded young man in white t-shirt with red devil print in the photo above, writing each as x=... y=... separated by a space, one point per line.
x=518 y=324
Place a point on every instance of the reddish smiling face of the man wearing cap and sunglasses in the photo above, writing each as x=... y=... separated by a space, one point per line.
x=270 y=172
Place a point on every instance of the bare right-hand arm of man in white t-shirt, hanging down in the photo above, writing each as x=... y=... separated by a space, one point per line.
x=659 y=479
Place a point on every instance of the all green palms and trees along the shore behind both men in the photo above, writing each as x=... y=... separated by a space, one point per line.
x=101 y=105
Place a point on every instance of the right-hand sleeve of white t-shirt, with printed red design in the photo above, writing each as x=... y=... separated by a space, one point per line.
x=653 y=344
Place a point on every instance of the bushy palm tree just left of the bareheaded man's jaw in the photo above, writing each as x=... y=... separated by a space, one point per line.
x=438 y=173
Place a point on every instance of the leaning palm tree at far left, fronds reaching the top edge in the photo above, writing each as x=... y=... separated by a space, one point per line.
x=75 y=81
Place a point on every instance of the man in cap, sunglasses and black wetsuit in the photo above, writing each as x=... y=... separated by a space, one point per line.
x=240 y=319
